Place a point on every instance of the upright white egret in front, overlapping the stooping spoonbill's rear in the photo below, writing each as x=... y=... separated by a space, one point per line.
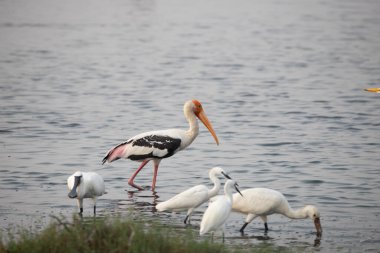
x=218 y=211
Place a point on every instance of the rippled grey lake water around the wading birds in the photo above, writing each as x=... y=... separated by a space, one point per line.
x=281 y=81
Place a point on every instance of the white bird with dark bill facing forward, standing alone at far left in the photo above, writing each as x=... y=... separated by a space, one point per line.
x=85 y=185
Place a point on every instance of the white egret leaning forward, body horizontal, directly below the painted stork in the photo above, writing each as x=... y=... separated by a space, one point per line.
x=192 y=198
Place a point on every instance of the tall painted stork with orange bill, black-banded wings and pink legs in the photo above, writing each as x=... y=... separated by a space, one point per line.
x=157 y=145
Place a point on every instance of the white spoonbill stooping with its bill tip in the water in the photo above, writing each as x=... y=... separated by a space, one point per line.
x=261 y=202
